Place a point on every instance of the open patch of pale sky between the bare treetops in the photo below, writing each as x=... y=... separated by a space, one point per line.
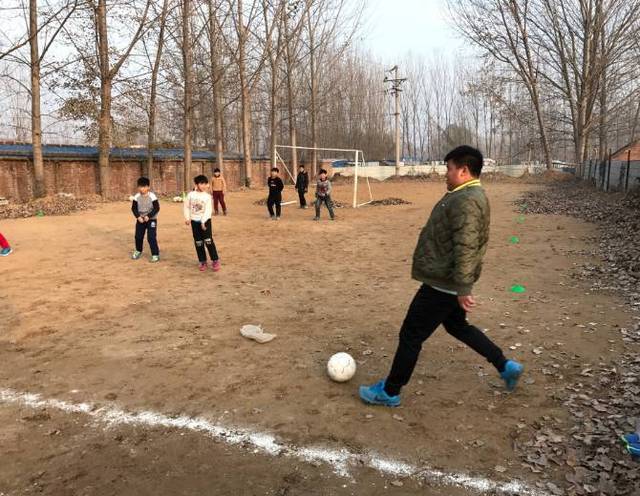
x=396 y=27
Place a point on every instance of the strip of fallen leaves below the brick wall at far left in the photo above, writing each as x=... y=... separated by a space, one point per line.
x=61 y=204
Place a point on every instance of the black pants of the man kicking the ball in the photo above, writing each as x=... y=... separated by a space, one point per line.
x=427 y=311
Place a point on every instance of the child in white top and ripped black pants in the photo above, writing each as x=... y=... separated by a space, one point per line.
x=197 y=212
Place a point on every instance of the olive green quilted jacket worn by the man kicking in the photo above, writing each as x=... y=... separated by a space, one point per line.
x=452 y=244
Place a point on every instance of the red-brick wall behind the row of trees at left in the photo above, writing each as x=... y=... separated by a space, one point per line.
x=80 y=177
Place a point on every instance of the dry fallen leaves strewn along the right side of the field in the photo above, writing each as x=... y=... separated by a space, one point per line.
x=605 y=402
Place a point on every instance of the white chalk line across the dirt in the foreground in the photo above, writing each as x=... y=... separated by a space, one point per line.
x=341 y=460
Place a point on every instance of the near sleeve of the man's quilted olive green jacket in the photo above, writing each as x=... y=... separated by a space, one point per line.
x=466 y=223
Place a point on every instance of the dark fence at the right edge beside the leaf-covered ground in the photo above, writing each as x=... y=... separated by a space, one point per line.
x=612 y=175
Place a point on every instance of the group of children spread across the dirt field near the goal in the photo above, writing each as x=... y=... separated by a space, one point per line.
x=200 y=205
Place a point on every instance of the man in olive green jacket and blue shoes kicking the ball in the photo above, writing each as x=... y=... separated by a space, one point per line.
x=447 y=261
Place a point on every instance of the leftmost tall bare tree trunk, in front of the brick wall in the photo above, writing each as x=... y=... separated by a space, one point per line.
x=36 y=120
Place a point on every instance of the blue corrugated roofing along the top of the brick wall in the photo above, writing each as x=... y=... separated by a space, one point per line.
x=91 y=152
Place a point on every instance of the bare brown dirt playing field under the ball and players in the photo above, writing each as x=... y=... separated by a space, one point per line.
x=81 y=322
